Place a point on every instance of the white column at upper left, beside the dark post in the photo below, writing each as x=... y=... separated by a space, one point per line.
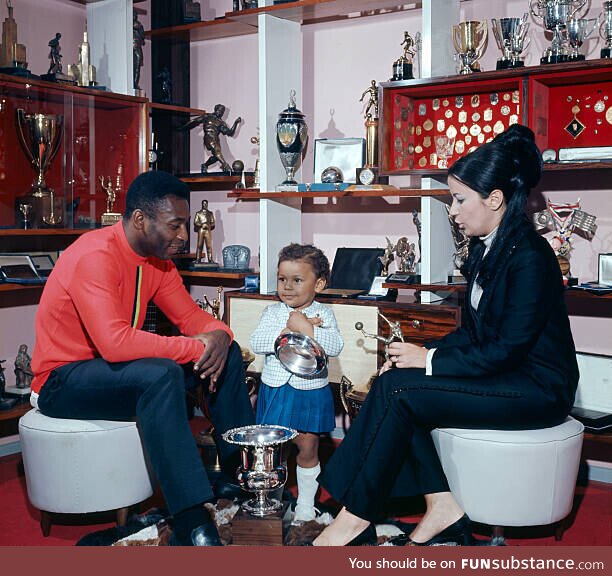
x=109 y=23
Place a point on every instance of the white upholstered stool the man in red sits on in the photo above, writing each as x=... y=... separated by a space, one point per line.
x=82 y=466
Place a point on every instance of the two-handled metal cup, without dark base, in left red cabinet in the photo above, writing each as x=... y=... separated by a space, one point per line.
x=40 y=136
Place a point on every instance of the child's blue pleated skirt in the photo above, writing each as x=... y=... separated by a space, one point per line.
x=302 y=410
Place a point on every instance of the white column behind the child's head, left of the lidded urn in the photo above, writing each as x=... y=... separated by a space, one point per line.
x=280 y=71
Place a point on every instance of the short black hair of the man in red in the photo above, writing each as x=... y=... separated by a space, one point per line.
x=148 y=190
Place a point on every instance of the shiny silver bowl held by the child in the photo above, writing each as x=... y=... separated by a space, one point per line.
x=300 y=354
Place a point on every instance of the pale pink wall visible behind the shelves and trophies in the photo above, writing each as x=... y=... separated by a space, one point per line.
x=340 y=59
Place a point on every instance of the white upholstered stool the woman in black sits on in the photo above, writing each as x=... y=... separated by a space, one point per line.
x=512 y=478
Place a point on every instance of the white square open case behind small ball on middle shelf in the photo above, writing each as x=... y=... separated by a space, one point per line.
x=347 y=154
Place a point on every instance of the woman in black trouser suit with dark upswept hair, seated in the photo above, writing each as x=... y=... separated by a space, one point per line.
x=512 y=364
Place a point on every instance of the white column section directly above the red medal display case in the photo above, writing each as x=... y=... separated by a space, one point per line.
x=438 y=18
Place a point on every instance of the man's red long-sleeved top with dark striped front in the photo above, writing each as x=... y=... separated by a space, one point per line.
x=94 y=304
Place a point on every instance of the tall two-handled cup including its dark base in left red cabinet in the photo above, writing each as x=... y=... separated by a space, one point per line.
x=40 y=136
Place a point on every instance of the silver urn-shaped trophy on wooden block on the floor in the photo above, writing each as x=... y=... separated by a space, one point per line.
x=261 y=470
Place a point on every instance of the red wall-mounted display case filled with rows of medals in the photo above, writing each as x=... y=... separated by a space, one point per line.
x=428 y=124
